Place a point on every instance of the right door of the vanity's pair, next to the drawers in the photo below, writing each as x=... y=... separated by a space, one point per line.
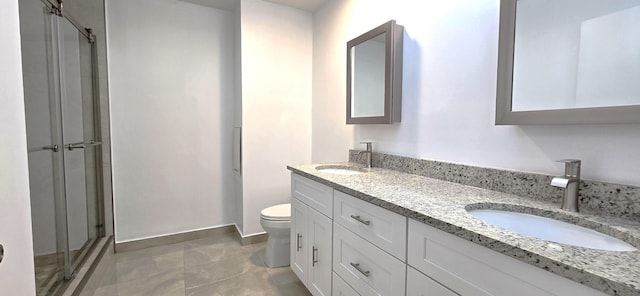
x=319 y=247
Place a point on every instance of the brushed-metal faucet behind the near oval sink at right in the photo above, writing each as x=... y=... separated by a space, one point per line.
x=570 y=183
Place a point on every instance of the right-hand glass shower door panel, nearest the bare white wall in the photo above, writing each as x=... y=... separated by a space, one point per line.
x=80 y=148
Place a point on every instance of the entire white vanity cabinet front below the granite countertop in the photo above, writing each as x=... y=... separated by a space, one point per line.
x=341 y=245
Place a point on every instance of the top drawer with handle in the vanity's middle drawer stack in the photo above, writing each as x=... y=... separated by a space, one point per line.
x=383 y=228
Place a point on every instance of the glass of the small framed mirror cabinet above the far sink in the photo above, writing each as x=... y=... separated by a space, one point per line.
x=368 y=77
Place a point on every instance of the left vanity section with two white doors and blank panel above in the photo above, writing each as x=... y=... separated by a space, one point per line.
x=311 y=234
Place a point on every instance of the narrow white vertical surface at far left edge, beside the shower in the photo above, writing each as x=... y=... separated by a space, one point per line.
x=16 y=269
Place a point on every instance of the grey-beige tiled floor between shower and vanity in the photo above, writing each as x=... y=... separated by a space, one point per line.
x=219 y=266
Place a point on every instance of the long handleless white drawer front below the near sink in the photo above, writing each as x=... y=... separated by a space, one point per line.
x=471 y=269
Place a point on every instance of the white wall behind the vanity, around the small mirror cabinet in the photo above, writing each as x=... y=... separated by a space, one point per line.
x=450 y=54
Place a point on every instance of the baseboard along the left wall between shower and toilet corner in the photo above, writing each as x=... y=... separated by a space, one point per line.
x=172 y=239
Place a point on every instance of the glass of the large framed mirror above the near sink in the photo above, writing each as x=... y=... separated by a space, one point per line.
x=576 y=54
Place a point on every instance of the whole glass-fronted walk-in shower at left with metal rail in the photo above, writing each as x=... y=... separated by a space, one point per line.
x=64 y=140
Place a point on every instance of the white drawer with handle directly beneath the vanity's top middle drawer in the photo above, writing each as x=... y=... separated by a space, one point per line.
x=365 y=267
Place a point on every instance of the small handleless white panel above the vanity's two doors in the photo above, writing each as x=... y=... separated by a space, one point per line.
x=317 y=196
